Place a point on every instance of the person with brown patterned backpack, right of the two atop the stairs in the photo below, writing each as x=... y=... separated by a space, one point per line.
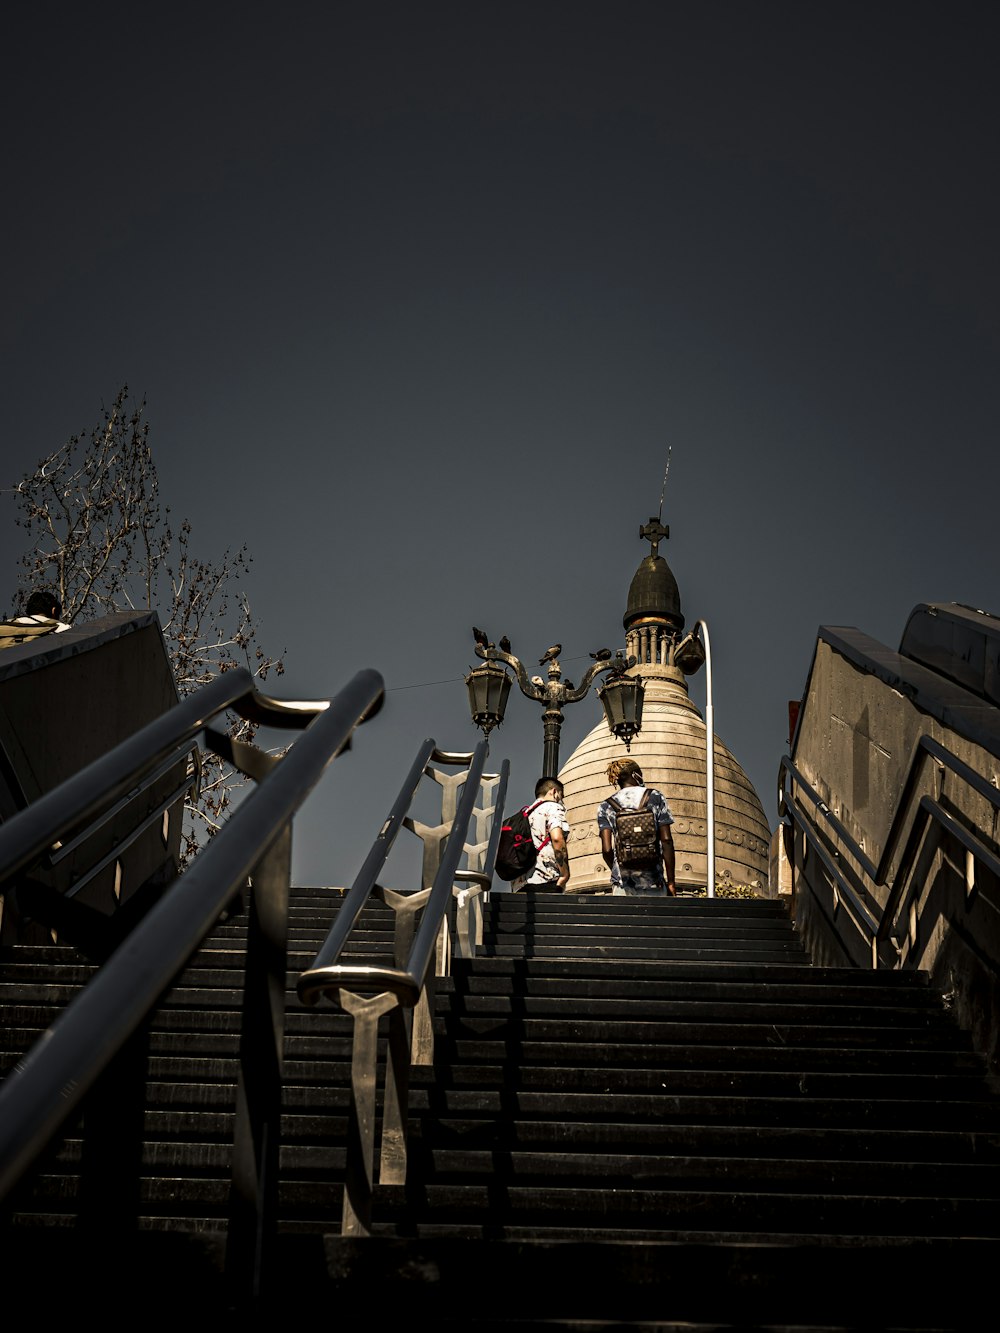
x=635 y=828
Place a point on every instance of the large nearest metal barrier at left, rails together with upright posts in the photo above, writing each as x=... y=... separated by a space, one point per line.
x=94 y=1040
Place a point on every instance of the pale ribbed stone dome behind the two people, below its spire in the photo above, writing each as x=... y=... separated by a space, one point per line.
x=671 y=752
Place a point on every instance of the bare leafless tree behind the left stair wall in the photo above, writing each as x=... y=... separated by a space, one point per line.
x=98 y=537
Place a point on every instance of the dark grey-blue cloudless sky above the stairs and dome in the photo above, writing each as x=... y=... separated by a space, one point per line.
x=421 y=294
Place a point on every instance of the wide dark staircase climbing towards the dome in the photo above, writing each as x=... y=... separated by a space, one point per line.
x=643 y=1115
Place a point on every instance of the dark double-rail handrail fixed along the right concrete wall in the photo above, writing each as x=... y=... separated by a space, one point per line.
x=879 y=928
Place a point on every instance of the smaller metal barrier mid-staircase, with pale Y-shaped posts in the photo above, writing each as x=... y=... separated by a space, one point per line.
x=405 y=994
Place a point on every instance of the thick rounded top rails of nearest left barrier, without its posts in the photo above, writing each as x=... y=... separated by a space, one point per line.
x=51 y=1082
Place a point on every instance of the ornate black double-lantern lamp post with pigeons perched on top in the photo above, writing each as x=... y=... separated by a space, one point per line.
x=489 y=686
